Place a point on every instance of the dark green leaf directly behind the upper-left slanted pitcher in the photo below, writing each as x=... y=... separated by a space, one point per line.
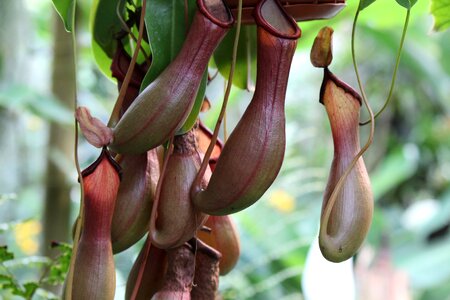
x=166 y=27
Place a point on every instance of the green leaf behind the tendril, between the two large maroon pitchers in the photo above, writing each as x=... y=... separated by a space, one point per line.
x=246 y=56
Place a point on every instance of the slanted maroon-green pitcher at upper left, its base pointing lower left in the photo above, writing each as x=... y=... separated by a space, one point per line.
x=162 y=108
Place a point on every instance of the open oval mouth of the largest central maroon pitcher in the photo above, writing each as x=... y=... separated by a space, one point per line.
x=280 y=23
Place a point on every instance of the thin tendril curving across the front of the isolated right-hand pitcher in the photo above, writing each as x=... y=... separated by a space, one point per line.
x=337 y=189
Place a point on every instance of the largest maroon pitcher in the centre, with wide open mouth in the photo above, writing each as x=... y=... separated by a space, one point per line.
x=252 y=156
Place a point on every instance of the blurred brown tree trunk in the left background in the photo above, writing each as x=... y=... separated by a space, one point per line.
x=58 y=185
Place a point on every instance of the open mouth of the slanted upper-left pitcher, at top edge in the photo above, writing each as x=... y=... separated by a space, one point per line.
x=216 y=11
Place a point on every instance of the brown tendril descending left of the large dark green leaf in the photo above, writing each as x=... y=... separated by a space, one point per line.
x=116 y=111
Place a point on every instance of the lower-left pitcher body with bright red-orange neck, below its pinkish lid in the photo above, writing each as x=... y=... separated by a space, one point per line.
x=94 y=272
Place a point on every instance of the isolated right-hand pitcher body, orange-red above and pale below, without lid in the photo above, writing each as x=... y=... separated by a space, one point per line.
x=344 y=225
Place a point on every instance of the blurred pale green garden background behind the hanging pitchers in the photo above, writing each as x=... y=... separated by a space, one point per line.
x=407 y=252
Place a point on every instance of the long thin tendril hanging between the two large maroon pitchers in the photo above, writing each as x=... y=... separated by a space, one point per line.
x=204 y=165
